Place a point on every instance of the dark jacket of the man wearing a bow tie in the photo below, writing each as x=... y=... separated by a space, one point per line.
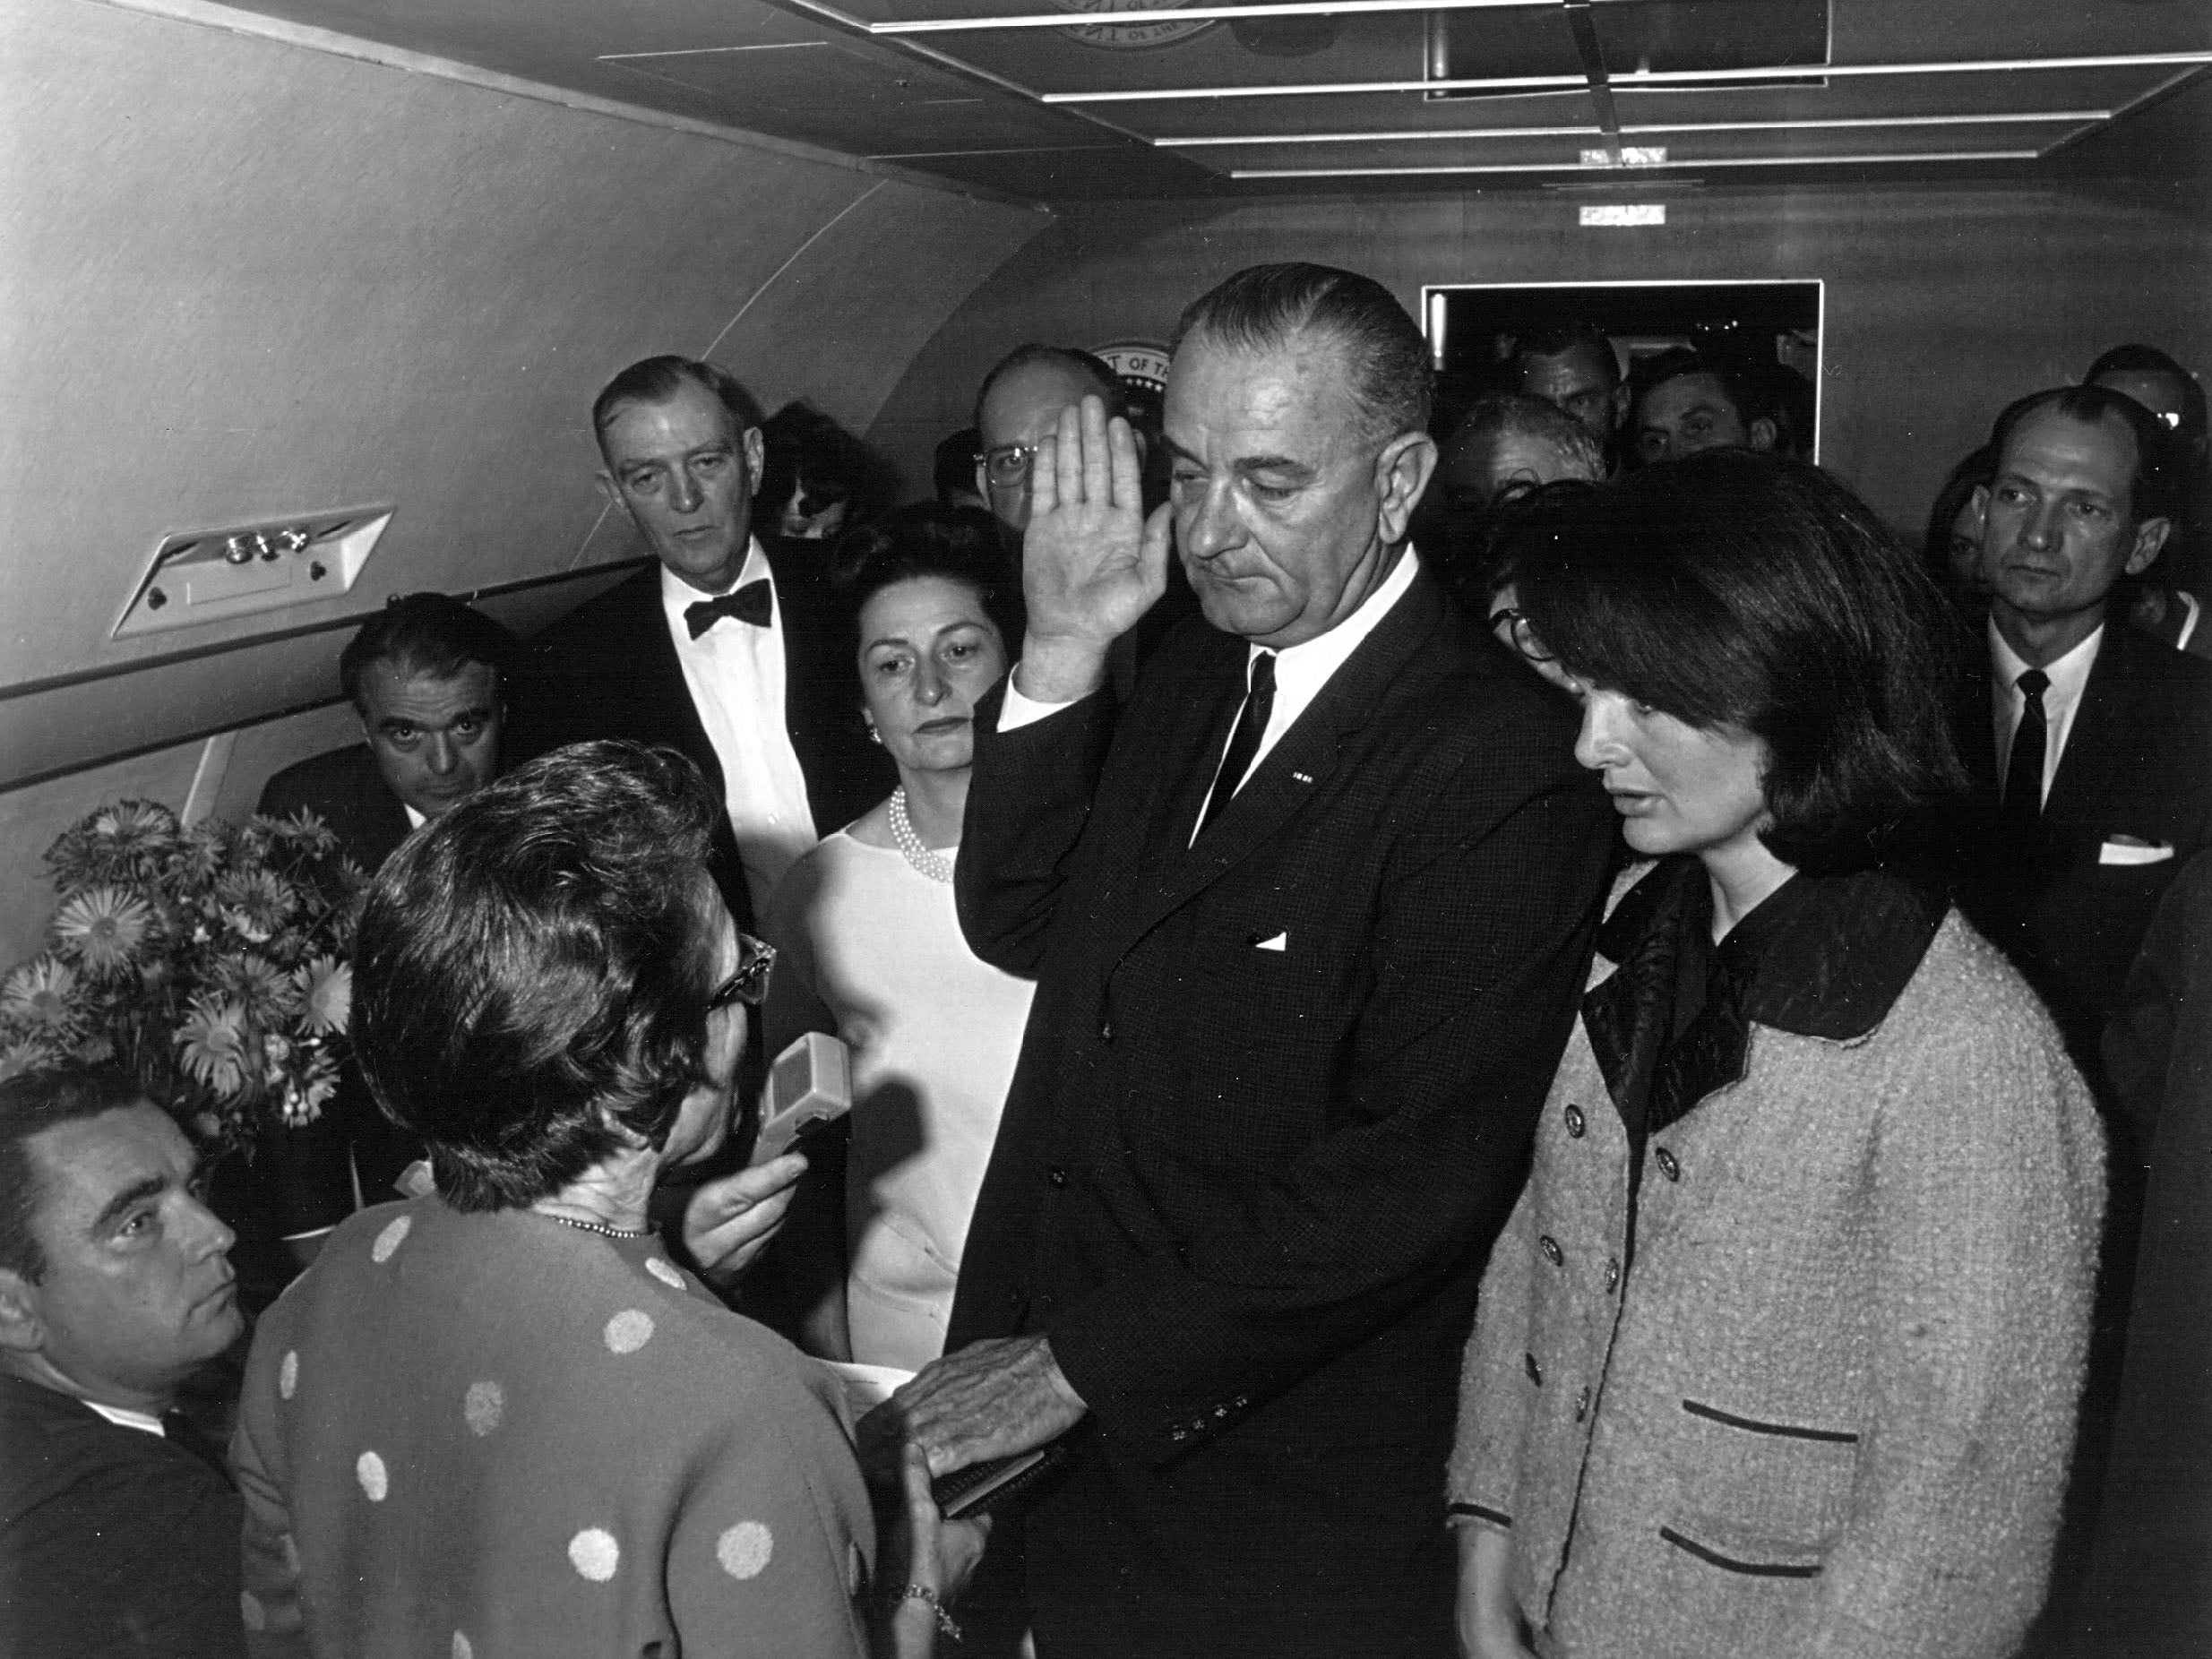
x=612 y=671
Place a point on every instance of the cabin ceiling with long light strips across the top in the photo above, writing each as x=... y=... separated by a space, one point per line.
x=1147 y=98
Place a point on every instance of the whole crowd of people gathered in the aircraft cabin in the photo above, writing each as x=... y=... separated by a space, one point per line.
x=1512 y=1036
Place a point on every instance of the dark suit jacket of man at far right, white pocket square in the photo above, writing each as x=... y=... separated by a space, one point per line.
x=2138 y=764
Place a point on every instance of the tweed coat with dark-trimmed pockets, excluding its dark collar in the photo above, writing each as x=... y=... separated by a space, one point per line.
x=1824 y=1406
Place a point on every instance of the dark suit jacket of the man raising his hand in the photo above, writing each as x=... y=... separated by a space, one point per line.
x=1249 y=1189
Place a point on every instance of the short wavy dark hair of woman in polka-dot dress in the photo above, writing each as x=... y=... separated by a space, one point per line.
x=536 y=963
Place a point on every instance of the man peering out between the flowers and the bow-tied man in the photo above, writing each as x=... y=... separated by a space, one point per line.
x=428 y=678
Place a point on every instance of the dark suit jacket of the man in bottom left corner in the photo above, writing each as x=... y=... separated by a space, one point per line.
x=112 y=1541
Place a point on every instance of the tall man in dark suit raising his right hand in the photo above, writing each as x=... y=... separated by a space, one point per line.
x=1308 y=919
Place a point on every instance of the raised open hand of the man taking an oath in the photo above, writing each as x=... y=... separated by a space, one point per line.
x=1092 y=563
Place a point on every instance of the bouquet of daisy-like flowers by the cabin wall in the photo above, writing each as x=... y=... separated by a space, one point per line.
x=209 y=961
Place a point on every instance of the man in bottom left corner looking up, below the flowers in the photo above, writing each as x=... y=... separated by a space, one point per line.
x=118 y=1523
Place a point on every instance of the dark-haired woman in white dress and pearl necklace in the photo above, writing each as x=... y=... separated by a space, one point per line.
x=873 y=952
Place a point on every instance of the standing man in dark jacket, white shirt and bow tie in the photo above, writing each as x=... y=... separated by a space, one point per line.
x=731 y=647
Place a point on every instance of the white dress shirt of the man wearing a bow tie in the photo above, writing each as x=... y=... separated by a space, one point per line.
x=735 y=676
